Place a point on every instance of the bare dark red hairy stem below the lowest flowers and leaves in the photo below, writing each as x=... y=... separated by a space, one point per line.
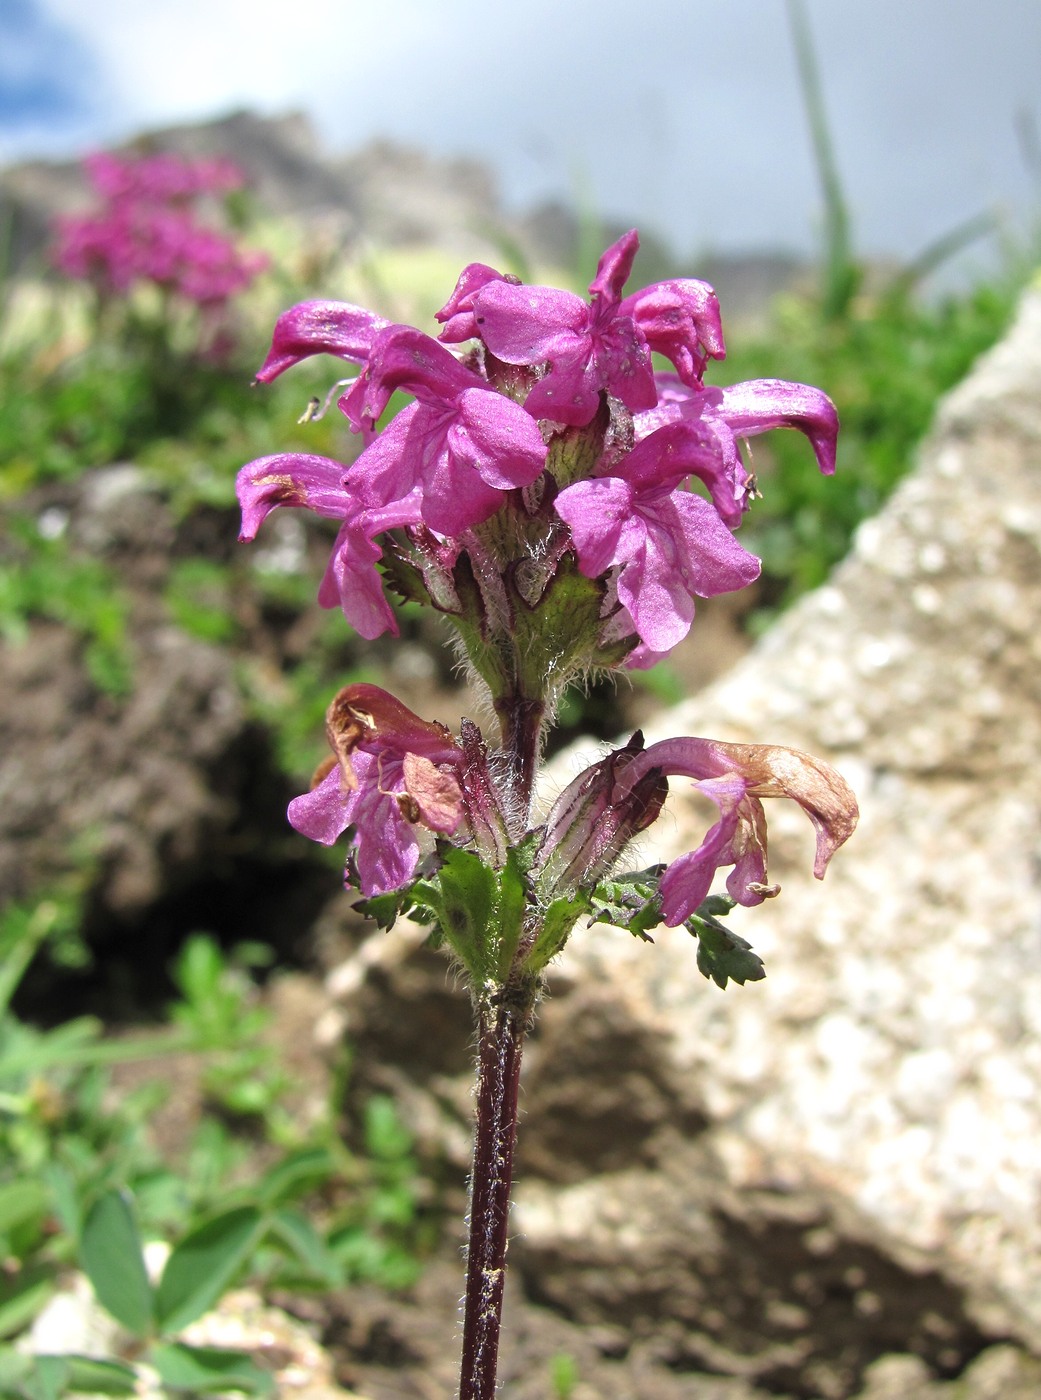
x=499 y=1070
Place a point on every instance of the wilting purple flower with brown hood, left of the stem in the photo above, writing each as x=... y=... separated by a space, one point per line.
x=392 y=775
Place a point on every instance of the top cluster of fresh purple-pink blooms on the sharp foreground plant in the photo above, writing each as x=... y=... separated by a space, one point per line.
x=556 y=414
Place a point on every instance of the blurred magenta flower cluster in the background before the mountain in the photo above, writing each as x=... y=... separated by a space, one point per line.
x=149 y=230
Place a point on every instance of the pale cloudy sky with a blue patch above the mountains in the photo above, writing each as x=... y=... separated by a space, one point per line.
x=684 y=117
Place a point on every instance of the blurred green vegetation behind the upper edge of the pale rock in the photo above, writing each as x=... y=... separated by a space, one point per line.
x=886 y=363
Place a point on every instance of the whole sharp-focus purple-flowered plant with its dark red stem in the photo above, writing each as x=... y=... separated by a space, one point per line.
x=538 y=493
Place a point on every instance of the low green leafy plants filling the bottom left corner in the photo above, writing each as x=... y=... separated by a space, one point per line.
x=82 y=1184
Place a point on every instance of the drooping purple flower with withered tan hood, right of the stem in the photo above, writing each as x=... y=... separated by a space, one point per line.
x=735 y=776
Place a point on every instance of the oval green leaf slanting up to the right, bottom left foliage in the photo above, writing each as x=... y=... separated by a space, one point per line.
x=204 y=1265
